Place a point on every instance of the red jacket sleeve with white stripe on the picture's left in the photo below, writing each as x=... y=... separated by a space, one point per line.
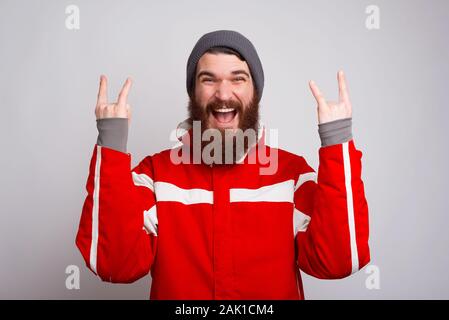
x=117 y=234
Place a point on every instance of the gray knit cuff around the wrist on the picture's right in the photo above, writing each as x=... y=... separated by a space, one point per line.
x=335 y=132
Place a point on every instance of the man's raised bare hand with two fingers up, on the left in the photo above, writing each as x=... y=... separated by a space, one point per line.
x=119 y=109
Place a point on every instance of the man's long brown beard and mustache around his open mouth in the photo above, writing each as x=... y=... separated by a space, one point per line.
x=234 y=144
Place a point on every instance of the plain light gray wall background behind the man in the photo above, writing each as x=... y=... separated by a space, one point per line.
x=397 y=77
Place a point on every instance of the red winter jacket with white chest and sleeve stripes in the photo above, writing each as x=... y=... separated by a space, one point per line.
x=225 y=231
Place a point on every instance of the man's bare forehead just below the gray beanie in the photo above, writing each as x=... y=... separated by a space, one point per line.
x=221 y=64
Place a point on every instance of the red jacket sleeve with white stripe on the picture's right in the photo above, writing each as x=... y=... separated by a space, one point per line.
x=331 y=214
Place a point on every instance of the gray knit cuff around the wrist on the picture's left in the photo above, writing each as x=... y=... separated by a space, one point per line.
x=113 y=133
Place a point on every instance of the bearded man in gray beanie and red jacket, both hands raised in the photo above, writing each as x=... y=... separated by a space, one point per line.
x=206 y=218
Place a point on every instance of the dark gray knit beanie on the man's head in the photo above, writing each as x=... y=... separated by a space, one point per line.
x=232 y=40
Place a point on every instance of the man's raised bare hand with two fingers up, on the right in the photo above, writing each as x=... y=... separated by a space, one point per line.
x=331 y=110
